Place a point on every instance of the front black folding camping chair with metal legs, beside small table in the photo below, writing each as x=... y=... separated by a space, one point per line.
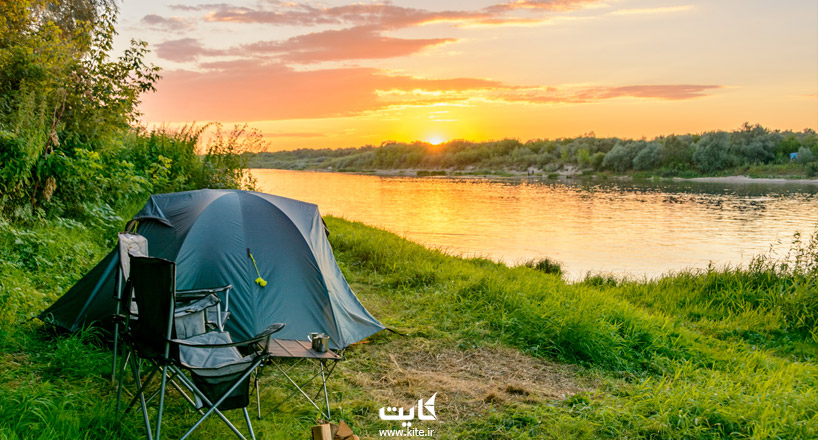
x=220 y=374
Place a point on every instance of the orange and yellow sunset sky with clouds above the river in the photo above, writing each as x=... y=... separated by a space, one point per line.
x=333 y=74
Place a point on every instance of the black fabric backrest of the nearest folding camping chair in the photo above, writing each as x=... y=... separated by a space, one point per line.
x=154 y=284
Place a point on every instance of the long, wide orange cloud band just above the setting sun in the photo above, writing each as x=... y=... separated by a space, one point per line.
x=244 y=90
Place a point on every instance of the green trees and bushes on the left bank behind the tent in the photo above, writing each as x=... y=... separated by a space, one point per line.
x=70 y=143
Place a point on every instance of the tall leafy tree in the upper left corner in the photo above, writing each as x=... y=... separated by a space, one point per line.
x=60 y=92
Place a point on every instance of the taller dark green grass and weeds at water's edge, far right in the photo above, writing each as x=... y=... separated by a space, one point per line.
x=772 y=303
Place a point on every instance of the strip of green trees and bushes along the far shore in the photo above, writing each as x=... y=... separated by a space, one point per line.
x=749 y=150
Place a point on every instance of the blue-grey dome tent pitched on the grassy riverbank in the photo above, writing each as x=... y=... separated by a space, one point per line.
x=208 y=234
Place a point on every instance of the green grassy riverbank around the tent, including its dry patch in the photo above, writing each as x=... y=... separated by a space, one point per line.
x=514 y=353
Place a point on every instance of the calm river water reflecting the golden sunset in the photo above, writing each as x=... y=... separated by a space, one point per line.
x=623 y=228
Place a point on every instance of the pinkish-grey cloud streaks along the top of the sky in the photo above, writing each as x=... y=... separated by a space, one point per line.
x=363 y=33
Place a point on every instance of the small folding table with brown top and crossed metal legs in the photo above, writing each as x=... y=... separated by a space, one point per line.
x=280 y=349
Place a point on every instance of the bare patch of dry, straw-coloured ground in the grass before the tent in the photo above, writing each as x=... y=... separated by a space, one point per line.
x=468 y=382
